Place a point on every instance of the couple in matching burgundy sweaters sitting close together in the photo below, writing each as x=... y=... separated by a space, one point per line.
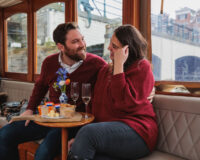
x=125 y=124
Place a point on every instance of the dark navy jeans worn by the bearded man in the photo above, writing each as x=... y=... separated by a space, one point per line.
x=15 y=133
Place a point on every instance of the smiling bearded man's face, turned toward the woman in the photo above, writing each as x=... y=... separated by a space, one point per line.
x=75 y=46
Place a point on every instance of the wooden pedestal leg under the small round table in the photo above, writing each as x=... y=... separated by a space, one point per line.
x=64 y=143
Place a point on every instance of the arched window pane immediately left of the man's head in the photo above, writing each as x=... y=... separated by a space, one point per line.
x=48 y=18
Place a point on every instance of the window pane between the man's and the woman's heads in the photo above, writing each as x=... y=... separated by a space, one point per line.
x=97 y=20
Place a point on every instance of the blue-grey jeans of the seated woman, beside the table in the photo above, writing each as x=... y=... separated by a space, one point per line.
x=108 y=141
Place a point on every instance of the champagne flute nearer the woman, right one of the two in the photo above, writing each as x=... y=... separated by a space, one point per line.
x=86 y=95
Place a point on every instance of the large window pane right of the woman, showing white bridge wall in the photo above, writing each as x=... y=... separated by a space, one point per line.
x=176 y=34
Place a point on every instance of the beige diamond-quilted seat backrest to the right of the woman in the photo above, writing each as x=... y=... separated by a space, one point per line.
x=179 y=125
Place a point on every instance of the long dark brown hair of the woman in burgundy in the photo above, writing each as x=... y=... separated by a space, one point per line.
x=129 y=35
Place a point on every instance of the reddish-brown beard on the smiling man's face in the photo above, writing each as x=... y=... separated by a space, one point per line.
x=73 y=54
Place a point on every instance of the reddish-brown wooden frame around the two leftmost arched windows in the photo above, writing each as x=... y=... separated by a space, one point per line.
x=30 y=7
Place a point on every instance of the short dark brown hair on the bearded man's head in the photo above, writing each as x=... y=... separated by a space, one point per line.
x=59 y=34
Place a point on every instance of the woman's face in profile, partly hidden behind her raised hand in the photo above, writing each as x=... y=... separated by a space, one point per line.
x=113 y=46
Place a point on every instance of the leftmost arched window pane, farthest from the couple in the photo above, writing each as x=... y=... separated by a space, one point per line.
x=17 y=43
